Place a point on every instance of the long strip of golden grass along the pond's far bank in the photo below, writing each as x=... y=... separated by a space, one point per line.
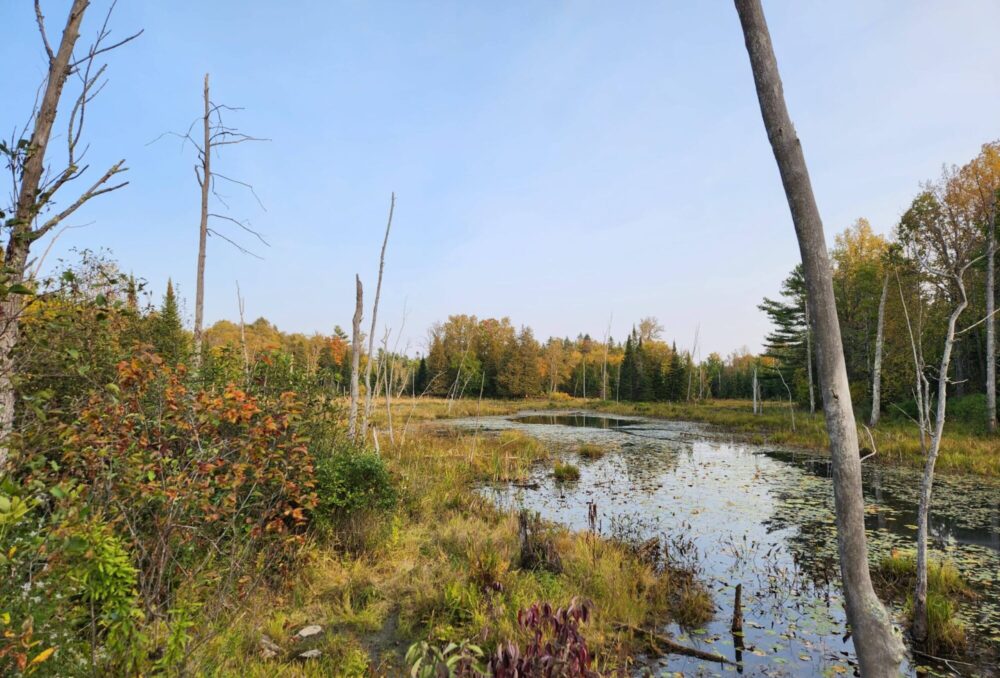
x=964 y=449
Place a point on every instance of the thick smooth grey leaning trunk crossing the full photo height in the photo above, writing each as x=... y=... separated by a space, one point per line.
x=879 y=650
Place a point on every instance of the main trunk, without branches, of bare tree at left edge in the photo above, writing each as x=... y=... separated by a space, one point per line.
x=15 y=259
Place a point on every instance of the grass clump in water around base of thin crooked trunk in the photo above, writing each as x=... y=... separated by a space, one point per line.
x=895 y=577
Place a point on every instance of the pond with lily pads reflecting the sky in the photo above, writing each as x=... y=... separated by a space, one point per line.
x=763 y=518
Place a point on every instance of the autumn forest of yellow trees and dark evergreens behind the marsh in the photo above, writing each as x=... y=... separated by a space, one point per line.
x=469 y=356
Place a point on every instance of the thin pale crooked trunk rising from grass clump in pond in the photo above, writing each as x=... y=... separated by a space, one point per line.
x=927 y=482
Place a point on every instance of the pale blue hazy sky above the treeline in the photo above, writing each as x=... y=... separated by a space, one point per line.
x=555 y=162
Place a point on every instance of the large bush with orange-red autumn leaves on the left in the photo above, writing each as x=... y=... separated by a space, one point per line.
x=195 y=480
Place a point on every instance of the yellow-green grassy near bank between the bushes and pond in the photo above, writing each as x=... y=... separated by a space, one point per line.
x=446 y=566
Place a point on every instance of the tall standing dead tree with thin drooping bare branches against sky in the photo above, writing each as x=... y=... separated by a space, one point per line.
x=215 y=134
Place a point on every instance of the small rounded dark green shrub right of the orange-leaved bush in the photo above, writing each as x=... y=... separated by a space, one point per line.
x=350 y=482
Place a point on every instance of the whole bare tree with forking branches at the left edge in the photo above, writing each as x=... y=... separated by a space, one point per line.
x=38 y=179
